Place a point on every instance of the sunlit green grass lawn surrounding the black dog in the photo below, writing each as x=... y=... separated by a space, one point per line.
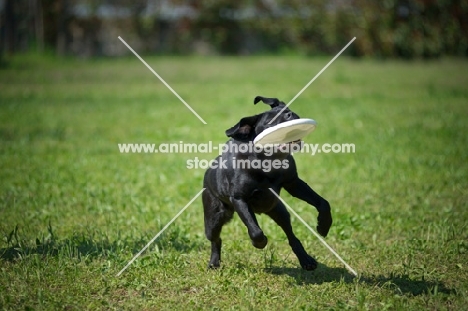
x=74 y=211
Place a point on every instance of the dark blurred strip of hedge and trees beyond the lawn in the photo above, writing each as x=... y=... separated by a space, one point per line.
x=384 y=29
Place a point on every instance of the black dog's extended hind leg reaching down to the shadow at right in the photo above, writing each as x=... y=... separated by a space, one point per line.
x=281 y=216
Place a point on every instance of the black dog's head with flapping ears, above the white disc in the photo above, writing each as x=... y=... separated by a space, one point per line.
x=249 y=127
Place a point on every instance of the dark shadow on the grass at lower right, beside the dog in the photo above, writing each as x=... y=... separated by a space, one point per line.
x=401 y=285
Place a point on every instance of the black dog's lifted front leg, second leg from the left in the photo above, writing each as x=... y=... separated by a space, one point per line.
x=259 y=240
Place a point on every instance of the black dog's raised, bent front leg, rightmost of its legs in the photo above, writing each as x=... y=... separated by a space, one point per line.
x=299 y=189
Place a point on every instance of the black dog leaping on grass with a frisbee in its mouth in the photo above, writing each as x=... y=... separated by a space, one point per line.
x=245 y=190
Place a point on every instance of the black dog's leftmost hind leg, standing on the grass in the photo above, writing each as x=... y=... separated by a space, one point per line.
x=216 y=215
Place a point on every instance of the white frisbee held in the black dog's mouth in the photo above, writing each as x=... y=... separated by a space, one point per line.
x=286 y=132
